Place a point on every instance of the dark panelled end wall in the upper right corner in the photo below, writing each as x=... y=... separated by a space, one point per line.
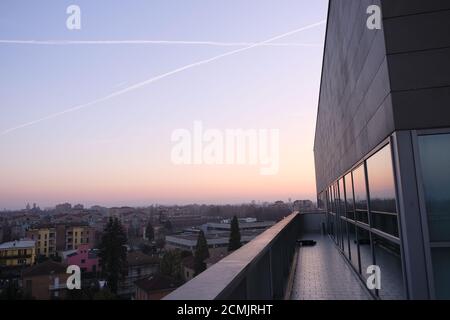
x=418 y=52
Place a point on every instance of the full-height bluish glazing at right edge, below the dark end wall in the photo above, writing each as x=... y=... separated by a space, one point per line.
x=434 y=151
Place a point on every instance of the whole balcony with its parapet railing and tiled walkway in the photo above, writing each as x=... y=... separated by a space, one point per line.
x=272 y=266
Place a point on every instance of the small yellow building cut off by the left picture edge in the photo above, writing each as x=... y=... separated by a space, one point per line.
x=17 y=253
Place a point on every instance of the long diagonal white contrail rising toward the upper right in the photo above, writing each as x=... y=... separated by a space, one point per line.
x=159 y=77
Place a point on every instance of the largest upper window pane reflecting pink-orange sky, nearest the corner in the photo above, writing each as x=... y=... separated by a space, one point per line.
x=382 y=192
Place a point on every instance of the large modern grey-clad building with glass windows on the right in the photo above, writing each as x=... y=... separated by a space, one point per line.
x=382 y=143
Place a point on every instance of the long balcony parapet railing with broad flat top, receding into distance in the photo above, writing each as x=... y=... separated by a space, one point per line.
x=258 y=270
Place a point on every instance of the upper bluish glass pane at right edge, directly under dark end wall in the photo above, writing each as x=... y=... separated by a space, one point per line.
x=435 y=161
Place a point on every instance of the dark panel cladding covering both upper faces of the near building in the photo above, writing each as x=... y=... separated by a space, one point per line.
x=375 y=82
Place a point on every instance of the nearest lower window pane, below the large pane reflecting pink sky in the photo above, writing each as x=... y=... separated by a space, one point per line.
x=388 y=258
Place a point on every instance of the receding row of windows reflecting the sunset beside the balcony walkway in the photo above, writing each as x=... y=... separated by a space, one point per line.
x=363 y=221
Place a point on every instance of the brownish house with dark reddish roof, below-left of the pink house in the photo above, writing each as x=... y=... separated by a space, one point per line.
x=45 y=281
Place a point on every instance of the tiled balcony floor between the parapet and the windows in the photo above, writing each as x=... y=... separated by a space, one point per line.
x=323 y=274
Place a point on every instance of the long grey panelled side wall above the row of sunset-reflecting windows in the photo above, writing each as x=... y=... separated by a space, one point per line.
x=355 y=109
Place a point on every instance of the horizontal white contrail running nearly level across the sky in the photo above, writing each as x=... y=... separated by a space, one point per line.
x=160 y=42
